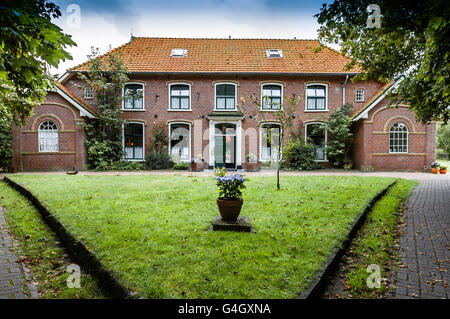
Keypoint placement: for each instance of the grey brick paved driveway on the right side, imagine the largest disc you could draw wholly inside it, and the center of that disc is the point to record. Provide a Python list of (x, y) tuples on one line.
[(424, 244)]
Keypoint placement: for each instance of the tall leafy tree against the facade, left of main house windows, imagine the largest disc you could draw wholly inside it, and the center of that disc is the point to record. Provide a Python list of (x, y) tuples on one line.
[(107, 76)]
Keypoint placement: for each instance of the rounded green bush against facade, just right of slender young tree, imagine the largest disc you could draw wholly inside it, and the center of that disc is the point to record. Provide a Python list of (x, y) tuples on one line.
[(299, 155)]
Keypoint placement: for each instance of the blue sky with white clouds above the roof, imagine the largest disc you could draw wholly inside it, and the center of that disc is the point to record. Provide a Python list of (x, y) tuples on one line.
[(104, 23)]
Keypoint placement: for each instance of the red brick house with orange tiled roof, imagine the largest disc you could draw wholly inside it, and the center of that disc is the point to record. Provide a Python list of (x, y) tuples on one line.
[(194, 87)]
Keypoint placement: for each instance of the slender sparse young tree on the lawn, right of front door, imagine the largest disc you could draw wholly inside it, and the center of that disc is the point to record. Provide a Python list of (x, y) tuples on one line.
[(283, 115)]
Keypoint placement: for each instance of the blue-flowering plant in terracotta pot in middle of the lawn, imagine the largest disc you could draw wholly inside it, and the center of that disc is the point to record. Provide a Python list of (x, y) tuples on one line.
[(229, 201)]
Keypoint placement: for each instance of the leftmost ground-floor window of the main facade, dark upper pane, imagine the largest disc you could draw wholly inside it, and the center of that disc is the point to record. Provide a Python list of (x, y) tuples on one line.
[(133, 143)]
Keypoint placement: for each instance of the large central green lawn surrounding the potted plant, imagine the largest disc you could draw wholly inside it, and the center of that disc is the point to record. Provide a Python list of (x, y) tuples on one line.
[(155, 233)]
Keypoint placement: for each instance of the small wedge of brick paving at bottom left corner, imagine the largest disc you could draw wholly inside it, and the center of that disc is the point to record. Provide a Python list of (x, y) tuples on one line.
[(12, 276)]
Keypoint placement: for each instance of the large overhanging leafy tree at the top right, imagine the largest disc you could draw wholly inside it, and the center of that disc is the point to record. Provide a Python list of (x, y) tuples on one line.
[(411, 40)]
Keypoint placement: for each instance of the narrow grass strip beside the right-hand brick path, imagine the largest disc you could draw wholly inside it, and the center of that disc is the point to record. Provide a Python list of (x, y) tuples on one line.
[(374, 243)]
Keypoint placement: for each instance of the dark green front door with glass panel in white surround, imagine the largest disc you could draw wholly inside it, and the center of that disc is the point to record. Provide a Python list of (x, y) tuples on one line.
[(225, 145)]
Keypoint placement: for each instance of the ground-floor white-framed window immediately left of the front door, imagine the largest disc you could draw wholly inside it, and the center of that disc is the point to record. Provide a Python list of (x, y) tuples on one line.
[(180, 141)]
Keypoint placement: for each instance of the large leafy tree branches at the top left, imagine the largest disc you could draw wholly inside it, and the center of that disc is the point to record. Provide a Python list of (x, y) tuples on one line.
[(29, 42)]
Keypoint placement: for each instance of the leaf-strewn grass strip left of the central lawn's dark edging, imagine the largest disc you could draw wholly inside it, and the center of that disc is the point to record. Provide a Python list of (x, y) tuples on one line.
[(37, 247)]
